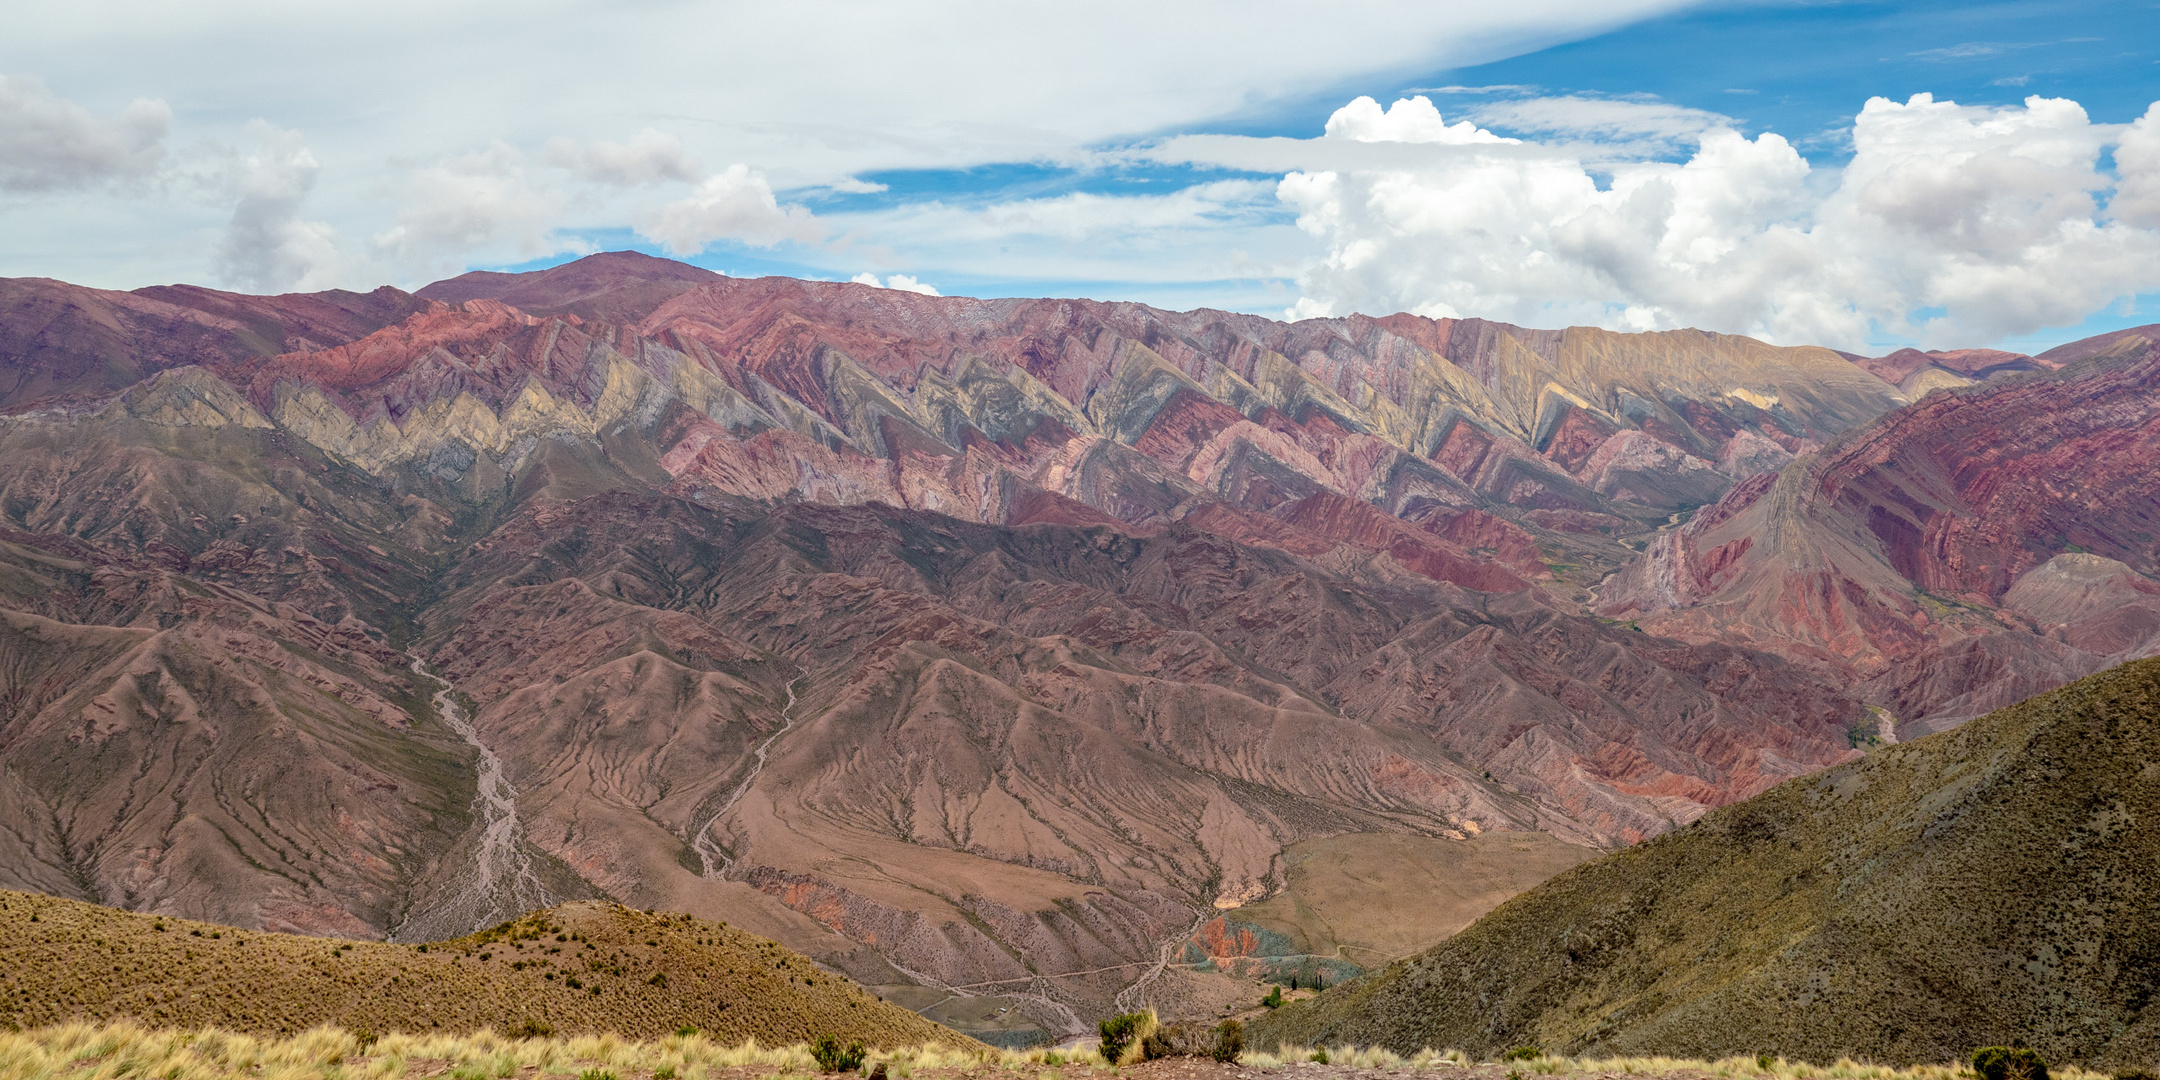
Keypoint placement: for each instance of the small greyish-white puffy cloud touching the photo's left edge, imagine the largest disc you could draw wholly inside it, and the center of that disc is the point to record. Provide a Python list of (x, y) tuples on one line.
[(51, 144)]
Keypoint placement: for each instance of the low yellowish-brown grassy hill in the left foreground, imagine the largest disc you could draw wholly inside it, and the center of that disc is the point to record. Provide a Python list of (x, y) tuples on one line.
[(573, 969)]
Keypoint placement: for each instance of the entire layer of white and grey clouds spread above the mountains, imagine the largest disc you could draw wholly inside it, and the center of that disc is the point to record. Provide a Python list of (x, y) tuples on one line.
[(969, 148)]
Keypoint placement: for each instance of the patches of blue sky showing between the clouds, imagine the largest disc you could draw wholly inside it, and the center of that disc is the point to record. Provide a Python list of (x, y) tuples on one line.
[(1794, 68)]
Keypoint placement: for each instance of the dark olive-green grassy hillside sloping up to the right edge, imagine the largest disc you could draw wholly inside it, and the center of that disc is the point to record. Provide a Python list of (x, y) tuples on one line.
[(1993, 885)]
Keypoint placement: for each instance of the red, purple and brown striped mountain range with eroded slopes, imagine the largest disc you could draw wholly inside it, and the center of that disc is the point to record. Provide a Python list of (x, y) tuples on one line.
[(999, 647)]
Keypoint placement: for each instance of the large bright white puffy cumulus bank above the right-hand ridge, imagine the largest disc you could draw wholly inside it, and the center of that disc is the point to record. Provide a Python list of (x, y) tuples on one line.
[(1952, 224)]
